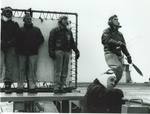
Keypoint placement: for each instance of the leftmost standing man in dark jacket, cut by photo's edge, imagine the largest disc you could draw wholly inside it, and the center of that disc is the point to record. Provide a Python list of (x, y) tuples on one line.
[(9, 33)]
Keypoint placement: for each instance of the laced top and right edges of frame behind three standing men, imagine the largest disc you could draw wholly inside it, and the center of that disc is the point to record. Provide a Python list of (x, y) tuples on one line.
[(54, 15)]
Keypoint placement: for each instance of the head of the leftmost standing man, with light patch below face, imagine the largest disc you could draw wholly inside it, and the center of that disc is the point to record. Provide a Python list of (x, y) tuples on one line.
[(7, 13)]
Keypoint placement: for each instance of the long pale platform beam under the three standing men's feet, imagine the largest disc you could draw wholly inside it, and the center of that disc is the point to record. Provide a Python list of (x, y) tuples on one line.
[(40, 97)]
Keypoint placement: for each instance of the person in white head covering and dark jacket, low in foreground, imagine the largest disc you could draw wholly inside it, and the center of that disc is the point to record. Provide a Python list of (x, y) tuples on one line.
[(102, 97)]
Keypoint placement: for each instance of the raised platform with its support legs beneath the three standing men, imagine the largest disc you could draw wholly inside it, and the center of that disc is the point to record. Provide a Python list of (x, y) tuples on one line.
[(31, 100)]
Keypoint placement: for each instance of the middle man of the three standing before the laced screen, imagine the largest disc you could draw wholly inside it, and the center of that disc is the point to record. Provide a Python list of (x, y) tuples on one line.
[(28, 45)]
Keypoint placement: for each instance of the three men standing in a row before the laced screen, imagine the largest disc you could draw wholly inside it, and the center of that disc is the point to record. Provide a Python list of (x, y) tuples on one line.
[(24, 43)]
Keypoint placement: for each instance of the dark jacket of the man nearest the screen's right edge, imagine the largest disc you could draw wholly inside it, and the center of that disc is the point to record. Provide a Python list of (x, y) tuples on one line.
[(61, 39)]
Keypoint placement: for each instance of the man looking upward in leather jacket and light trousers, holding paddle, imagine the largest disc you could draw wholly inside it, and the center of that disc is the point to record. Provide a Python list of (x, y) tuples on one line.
[(115, 47)]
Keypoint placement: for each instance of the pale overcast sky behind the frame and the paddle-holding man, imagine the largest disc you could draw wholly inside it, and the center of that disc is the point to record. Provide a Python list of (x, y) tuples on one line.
[(133, 15)]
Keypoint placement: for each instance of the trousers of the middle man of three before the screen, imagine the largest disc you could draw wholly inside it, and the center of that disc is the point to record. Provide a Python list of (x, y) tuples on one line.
[(27, 69)]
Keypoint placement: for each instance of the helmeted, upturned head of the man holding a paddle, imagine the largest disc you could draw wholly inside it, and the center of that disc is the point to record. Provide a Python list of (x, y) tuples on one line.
[(113, 21)]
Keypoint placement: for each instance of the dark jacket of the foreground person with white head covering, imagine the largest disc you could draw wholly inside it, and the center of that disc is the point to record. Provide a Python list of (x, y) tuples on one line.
[(98, 99)]
